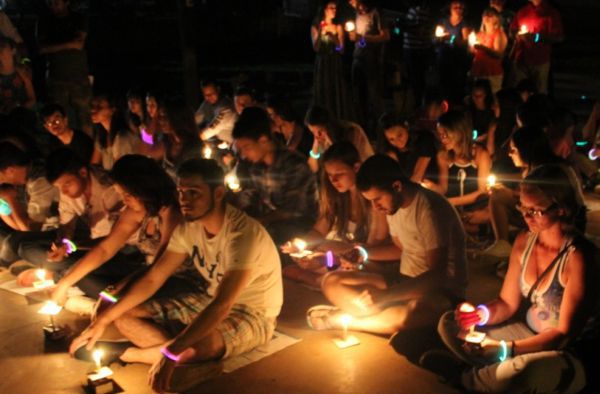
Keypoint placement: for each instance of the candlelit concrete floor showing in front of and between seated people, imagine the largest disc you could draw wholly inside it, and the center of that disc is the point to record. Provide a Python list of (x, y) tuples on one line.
[(29, 365)]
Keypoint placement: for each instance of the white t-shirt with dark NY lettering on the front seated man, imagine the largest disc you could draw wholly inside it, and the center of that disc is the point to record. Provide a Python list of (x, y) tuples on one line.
[(242, 244)]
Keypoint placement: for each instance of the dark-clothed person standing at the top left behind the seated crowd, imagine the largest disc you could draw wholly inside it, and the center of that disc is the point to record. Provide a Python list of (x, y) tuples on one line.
[(61, 38)]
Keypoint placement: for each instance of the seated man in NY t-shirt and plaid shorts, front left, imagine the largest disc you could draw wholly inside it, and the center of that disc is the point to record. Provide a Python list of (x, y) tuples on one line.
[(235, 312)]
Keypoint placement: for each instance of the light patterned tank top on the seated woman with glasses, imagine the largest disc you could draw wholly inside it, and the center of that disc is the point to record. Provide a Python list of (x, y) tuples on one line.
[(544, 312)]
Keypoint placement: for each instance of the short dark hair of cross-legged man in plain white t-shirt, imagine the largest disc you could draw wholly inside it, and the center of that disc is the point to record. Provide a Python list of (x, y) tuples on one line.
[(380, 171)]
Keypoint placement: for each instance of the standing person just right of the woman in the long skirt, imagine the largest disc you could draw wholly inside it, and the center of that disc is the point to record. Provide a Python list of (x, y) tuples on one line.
[(367, 63)]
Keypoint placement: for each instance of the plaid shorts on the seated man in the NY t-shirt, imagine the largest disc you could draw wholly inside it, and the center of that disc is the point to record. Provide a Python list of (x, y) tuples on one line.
[(243, 330)]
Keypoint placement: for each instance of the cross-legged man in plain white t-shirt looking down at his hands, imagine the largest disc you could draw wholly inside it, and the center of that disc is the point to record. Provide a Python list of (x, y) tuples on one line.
[(427, 238)]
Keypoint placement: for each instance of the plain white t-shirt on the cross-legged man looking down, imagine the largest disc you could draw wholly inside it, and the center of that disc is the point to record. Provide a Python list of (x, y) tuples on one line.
[(430, 222)]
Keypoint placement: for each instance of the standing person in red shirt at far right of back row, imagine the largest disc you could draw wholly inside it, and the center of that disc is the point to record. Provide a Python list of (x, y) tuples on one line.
[(537, 26)]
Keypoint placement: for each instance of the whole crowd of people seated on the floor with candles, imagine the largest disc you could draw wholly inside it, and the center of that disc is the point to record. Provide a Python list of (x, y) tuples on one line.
[(191, 267)]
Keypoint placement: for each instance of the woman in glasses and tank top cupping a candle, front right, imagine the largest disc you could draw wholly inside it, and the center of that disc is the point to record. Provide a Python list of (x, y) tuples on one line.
[(552, 277)]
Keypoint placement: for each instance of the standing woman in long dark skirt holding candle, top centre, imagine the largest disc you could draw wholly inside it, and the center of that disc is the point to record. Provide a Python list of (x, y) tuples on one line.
[(329, 86)]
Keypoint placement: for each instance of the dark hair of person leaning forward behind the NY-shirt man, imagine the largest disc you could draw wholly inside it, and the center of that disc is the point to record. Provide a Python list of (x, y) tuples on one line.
[(146, 180)]
